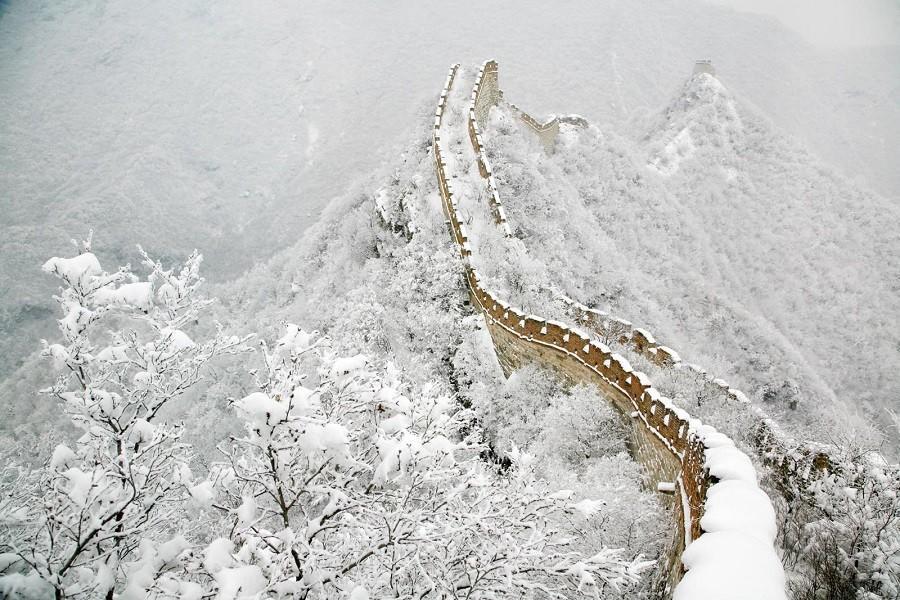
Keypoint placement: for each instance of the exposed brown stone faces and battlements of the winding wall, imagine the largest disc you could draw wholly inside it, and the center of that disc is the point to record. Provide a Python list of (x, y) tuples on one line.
[(673, 447)]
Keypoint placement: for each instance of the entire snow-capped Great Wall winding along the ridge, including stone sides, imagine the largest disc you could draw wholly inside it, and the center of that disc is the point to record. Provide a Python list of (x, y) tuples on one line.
[(700, 467)]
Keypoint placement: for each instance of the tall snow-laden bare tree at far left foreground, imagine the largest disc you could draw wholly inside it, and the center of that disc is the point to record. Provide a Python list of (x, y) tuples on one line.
[(125, 354)]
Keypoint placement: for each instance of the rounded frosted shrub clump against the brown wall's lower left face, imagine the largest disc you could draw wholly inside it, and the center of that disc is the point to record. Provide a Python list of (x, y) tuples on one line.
[(578, 442)]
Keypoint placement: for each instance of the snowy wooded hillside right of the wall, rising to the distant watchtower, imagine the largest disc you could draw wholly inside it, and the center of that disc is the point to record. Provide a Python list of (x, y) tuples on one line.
[(727, 240)]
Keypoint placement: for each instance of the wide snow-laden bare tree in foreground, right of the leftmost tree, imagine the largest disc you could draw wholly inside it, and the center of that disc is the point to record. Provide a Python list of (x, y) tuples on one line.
[(350, 487)]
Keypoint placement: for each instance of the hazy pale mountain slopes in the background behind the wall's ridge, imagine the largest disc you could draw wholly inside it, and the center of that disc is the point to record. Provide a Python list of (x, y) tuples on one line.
[(229, 125)]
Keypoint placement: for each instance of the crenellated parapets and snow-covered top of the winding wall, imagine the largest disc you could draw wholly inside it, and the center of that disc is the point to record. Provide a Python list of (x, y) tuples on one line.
[(726, 521)]
